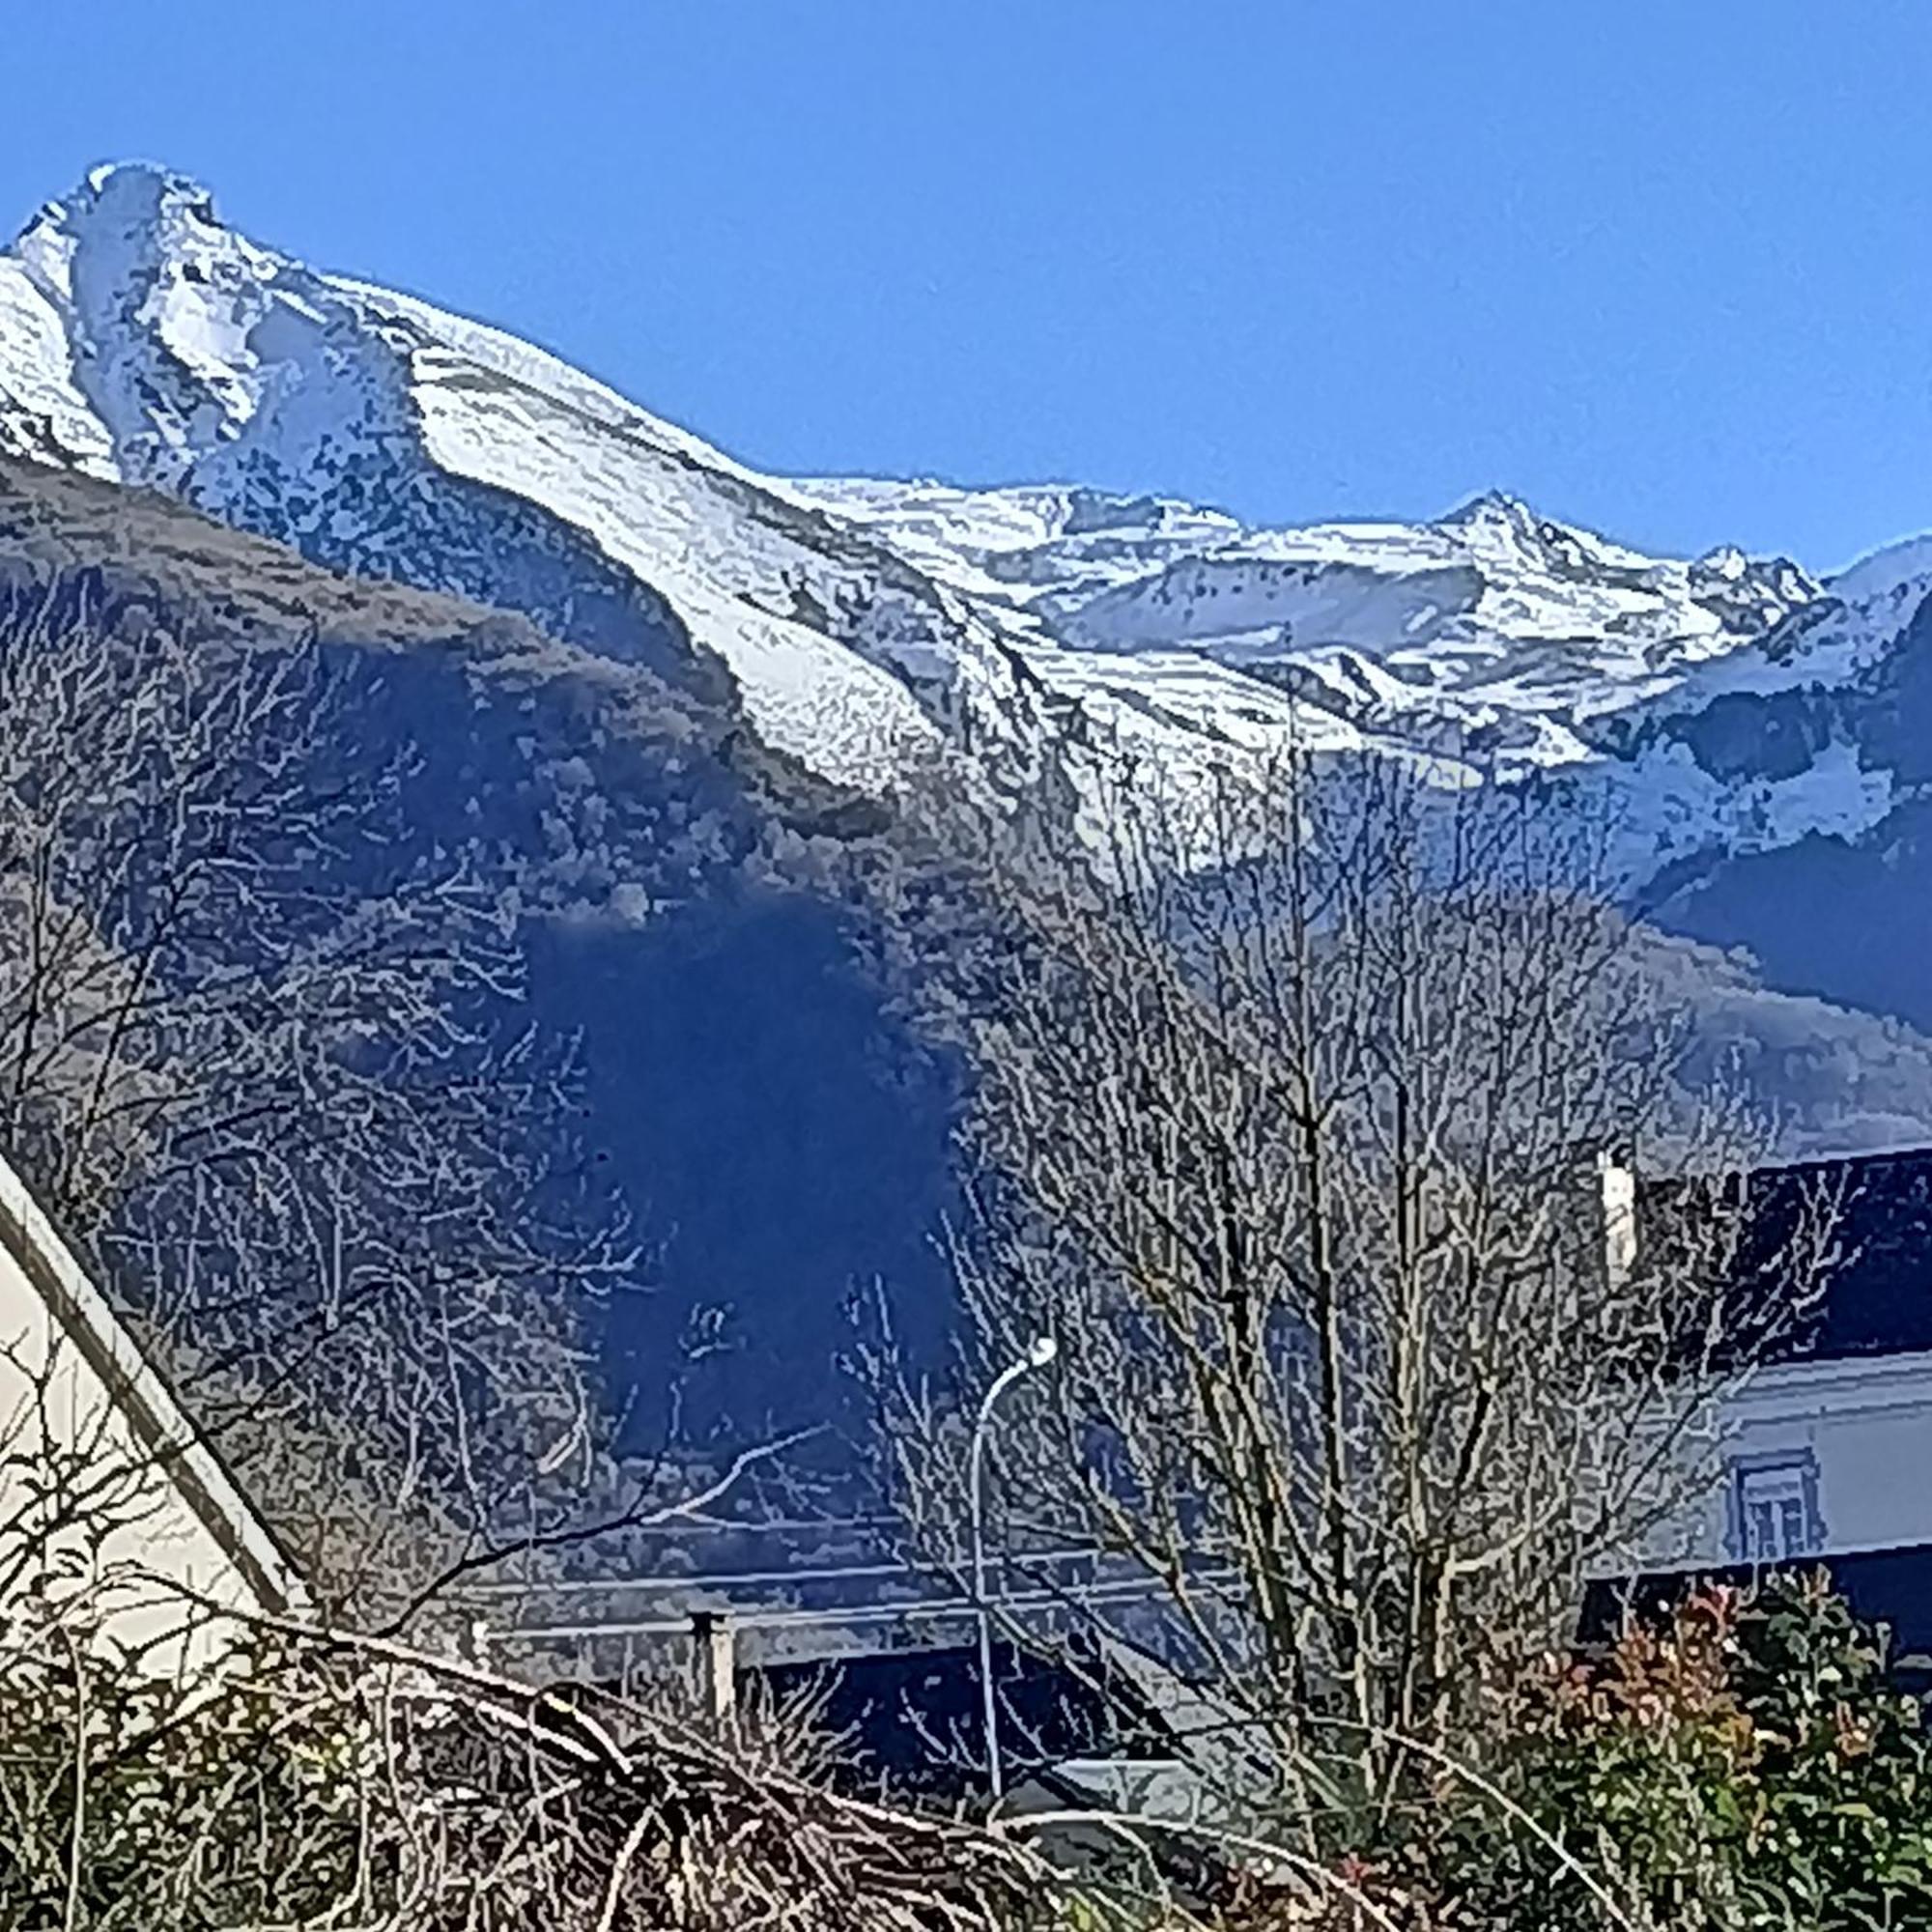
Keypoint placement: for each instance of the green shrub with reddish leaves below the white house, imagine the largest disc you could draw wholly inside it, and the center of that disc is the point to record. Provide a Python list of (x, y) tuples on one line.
[(1746, 1767)]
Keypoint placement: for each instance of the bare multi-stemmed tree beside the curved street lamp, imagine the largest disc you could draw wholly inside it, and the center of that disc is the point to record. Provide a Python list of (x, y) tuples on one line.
[(1288, 1102)]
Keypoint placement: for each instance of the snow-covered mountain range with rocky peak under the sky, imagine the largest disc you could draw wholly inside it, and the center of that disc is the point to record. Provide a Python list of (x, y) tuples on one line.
[(857, 621)]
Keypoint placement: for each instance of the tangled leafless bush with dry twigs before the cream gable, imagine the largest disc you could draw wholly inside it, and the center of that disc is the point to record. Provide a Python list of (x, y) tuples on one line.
[(175, 1763)]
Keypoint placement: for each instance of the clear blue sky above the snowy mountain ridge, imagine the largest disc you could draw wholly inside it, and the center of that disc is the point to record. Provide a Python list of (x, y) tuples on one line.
[(1662, 270)]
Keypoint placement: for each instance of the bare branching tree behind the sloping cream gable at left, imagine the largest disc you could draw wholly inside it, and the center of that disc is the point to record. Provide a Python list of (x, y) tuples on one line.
[(258, 1056)]
